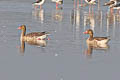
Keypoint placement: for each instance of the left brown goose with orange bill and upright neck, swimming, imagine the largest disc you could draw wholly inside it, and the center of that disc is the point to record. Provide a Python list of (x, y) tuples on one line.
[(34, 36)]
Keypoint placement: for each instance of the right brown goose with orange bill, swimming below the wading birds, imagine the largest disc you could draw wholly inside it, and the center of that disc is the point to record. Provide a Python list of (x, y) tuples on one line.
[(95, 40)]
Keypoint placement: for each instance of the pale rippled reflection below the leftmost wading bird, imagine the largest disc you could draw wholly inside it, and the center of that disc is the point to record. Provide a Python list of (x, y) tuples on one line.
[(38, 14)]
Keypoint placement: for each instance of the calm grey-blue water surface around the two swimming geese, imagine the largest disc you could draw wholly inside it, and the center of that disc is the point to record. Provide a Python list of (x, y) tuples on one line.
[(64, 57)]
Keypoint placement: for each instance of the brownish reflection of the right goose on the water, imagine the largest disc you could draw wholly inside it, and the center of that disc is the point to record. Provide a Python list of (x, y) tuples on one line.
[(91, 47)]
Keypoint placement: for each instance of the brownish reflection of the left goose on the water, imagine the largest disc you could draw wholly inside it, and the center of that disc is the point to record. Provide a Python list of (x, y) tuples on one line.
[(38, 43)]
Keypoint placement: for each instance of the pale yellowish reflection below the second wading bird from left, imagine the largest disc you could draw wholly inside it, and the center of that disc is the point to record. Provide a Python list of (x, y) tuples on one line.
[(58, 15)]
